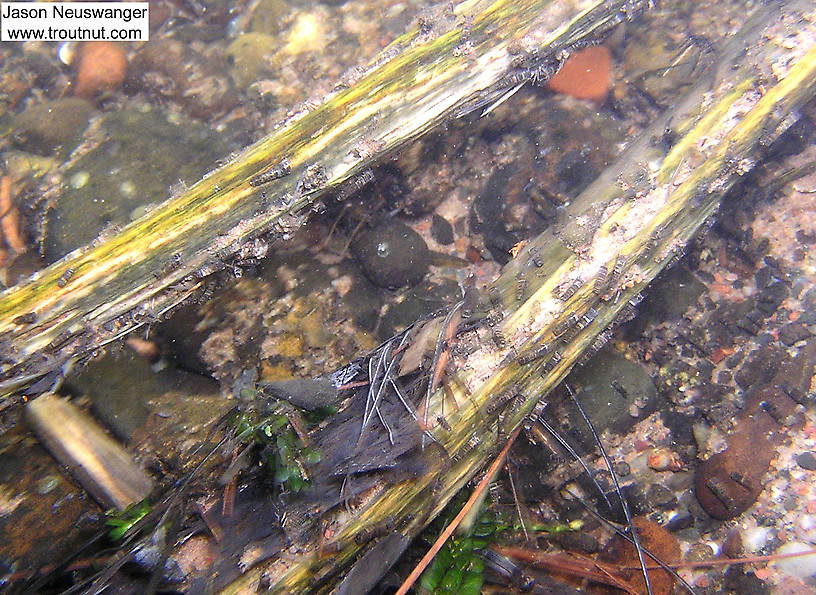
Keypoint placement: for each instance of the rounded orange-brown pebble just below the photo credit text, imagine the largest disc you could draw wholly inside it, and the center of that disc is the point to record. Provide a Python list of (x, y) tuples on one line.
[(101, 66)]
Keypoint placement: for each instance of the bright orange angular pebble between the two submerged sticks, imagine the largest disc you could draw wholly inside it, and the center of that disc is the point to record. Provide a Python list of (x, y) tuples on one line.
[(587, 74)]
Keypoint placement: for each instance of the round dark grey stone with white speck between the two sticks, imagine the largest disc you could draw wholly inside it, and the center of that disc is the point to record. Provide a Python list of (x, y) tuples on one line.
[(392, 255)]
